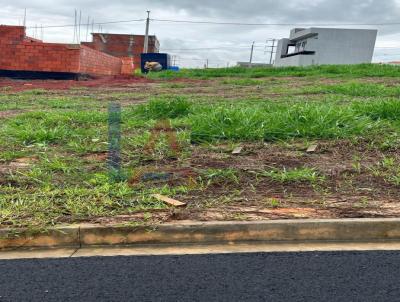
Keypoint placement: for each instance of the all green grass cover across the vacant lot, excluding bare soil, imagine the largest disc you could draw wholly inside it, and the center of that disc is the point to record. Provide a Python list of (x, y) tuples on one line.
[(61, 130)]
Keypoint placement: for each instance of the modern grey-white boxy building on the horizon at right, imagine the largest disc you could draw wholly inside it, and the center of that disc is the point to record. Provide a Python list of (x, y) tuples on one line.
[(319, 46)]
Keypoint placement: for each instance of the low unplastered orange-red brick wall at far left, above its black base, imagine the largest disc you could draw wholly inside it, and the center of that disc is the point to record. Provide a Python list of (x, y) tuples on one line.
[(21, 53)]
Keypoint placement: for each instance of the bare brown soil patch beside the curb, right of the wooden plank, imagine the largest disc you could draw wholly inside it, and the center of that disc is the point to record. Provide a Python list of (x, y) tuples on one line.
[(346, 192)]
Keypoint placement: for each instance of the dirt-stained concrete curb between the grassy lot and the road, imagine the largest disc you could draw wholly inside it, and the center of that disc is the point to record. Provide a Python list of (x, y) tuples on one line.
[(354, 230)]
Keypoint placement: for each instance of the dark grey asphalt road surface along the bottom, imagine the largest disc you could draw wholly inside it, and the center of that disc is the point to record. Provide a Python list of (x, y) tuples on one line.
[(345, 276)]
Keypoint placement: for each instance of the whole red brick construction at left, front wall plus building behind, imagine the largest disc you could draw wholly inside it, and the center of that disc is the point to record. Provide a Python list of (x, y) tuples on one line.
[(107, 54)]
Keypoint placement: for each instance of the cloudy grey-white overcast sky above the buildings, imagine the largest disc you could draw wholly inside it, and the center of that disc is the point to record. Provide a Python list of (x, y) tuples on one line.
[(233, 42)]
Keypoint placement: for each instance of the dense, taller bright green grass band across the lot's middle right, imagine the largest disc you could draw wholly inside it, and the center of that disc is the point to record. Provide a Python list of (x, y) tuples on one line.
[(252, 121)]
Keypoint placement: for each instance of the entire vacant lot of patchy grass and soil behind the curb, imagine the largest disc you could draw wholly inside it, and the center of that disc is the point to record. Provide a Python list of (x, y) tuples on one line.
[(54, 146)]
